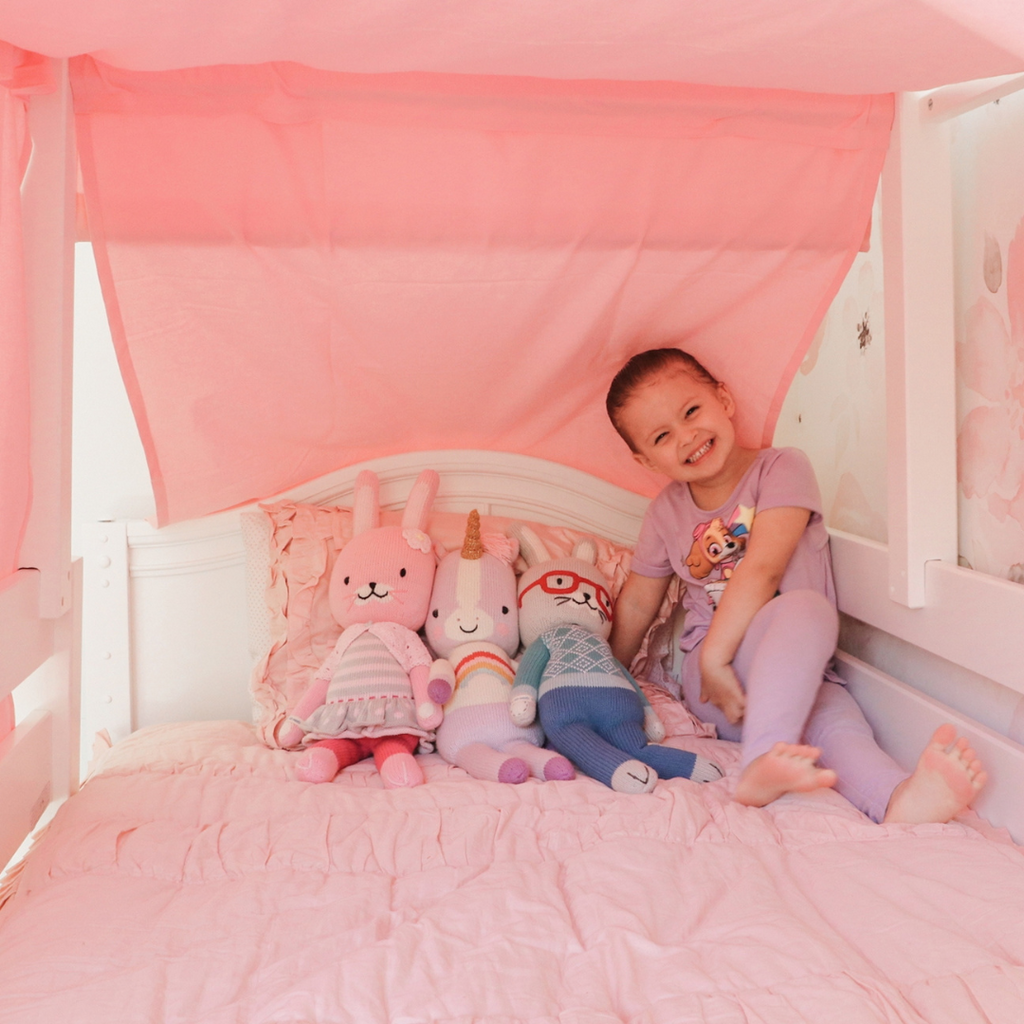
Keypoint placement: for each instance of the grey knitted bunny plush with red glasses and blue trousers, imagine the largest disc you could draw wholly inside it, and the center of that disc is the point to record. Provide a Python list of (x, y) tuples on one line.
[(590, 707)]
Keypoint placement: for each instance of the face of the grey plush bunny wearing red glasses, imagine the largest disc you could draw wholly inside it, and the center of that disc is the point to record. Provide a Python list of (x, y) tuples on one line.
[(563, 592)]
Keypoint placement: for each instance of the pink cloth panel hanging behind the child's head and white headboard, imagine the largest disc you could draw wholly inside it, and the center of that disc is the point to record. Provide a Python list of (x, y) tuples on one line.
[(308, 269)]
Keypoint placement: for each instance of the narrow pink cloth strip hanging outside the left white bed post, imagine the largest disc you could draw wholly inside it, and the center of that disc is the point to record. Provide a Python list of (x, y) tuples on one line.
[(20, 74)]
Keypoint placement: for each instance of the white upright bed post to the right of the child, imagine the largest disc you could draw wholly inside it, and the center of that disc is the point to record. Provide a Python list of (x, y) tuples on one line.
[(918, 254)]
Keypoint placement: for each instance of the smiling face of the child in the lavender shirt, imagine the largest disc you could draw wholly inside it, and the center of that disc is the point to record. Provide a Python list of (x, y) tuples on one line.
[(681, 428)]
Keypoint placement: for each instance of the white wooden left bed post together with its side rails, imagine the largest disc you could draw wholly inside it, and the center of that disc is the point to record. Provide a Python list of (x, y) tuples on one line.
[(39, 606)]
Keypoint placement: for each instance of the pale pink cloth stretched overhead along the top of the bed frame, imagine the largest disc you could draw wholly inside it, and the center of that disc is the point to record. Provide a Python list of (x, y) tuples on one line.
[(845, 47)]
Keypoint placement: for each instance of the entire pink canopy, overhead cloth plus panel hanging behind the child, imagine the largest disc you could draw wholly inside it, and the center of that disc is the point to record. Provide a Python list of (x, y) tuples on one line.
[(329, 232)]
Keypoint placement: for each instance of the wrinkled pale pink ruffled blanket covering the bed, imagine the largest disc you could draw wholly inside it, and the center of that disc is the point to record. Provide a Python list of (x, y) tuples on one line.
[(193, 880)]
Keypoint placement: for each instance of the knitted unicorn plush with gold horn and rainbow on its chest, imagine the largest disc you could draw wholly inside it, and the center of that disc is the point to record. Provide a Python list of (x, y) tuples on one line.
[(474, 623)]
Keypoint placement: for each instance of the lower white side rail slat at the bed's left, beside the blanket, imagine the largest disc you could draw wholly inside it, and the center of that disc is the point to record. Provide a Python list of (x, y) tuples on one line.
[(26, 765)]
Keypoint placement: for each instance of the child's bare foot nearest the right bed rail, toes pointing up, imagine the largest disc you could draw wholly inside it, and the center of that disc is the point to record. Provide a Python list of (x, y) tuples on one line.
[(948, 779)]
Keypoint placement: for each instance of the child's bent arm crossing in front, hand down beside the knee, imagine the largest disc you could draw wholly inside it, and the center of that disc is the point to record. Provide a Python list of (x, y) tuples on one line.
[(774, 538)]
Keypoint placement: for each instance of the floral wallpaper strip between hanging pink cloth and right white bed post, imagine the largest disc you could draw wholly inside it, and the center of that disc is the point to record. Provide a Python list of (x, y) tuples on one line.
[(836, 407)]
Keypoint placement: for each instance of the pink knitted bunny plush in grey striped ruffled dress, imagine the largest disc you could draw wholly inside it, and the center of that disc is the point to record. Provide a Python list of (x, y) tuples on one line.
[(378, 693)]
